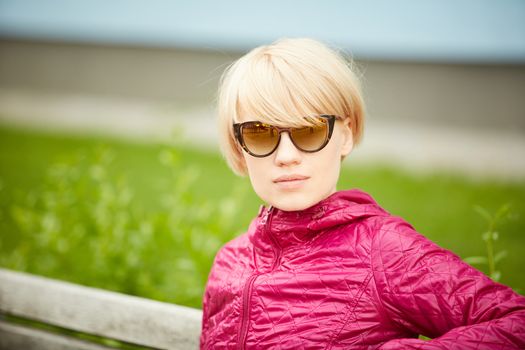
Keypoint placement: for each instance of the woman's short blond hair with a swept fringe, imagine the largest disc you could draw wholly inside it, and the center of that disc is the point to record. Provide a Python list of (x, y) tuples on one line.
[(282, 83)]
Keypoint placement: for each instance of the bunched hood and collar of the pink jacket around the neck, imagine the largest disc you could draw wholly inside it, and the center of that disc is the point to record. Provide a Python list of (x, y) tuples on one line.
[(289, 227)]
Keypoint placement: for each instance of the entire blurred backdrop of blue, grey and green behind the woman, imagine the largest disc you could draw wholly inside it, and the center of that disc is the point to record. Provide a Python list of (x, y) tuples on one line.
[(96, 189)]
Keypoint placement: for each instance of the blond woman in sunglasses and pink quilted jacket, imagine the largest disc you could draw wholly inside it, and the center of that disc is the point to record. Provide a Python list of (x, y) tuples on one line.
[(322, 269)]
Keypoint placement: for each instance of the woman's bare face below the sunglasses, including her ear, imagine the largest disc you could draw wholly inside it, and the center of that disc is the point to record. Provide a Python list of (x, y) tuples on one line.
[(290, 179)]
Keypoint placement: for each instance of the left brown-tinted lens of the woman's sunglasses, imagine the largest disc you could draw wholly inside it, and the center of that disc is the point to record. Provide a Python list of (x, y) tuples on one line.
[(260, 138)]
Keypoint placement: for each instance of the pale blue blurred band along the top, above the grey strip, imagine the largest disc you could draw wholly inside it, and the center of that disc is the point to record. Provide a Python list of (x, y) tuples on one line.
[(476, 31)]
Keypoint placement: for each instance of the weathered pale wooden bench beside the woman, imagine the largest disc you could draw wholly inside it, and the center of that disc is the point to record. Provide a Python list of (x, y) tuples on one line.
[(121, 317)]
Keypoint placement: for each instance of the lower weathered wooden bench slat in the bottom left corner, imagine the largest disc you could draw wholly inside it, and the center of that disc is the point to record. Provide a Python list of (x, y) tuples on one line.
[(18, 337)]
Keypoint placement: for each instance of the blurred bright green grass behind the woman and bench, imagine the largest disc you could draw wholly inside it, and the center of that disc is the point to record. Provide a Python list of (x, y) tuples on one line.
[(146, 219)]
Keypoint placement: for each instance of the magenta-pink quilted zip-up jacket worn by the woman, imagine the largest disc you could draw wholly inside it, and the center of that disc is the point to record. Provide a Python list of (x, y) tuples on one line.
[(345, 274)]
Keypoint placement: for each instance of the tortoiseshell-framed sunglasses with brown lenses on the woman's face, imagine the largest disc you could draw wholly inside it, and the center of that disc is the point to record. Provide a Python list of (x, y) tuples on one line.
[(260, 139)]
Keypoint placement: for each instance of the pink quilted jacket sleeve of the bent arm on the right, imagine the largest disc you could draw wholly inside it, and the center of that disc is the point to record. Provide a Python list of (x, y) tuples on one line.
[(427, 290)]
